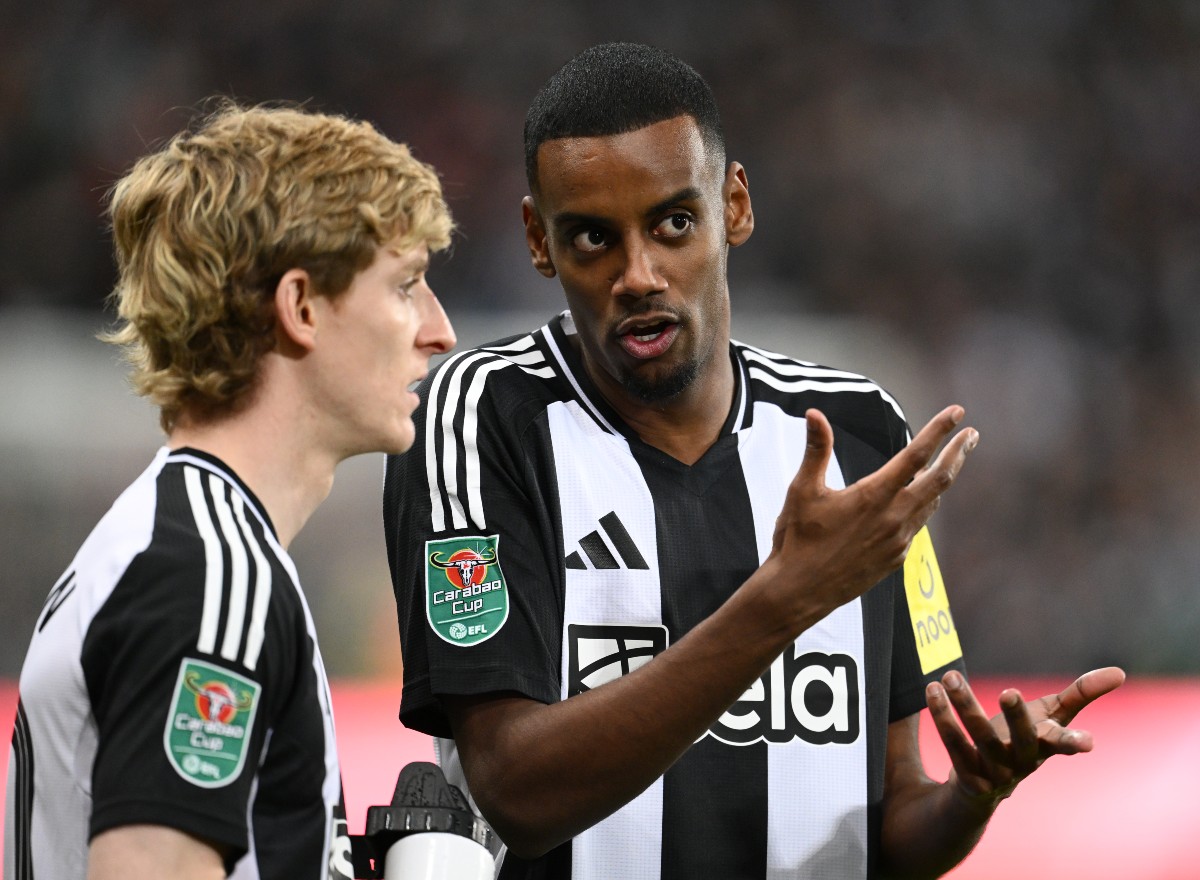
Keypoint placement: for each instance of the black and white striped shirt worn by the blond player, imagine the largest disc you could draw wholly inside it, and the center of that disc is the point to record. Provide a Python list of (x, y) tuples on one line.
[(175, 679)]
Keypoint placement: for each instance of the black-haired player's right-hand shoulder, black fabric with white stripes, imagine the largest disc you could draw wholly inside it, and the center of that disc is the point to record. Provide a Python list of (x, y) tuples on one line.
[(851, 402)]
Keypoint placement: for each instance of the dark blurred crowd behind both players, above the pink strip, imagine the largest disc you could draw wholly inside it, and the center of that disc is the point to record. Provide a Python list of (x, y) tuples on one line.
[(994, 203)]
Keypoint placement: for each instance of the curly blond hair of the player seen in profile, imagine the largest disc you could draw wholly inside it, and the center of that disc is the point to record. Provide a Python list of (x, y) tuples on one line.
[(206, 229)]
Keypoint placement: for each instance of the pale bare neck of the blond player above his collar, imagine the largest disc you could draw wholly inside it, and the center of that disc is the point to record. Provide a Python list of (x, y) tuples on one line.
[(272, 456)]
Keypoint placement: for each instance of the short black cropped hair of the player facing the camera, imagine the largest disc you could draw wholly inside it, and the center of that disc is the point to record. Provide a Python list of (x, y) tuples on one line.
[(616, 88)]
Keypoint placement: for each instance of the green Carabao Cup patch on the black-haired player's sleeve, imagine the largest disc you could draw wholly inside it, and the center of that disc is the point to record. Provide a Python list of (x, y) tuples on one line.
[(466, 596)]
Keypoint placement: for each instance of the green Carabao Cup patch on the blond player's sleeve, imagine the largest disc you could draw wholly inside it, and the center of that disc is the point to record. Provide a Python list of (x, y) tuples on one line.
[(209, 726)]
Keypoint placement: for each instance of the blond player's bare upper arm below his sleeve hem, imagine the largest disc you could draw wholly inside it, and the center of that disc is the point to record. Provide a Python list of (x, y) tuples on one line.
[(153, 852)]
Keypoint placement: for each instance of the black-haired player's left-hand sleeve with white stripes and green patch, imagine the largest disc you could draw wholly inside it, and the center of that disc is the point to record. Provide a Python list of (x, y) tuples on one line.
[(472, 554)]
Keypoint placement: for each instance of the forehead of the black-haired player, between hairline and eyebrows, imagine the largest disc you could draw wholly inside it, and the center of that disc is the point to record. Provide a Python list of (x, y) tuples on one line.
[(628, 172)]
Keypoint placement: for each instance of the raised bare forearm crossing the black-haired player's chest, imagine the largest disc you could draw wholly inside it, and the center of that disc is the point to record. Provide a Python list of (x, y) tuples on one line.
[(544, 774)]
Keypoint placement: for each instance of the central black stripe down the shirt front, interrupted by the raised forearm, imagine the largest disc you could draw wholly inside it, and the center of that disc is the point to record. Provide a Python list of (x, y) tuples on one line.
[(715, 799)]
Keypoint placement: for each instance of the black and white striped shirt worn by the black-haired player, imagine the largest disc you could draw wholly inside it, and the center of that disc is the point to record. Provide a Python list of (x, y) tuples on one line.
[(539, 547)]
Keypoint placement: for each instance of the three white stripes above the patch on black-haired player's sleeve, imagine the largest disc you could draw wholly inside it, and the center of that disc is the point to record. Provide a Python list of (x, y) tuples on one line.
[(515, 355)]
